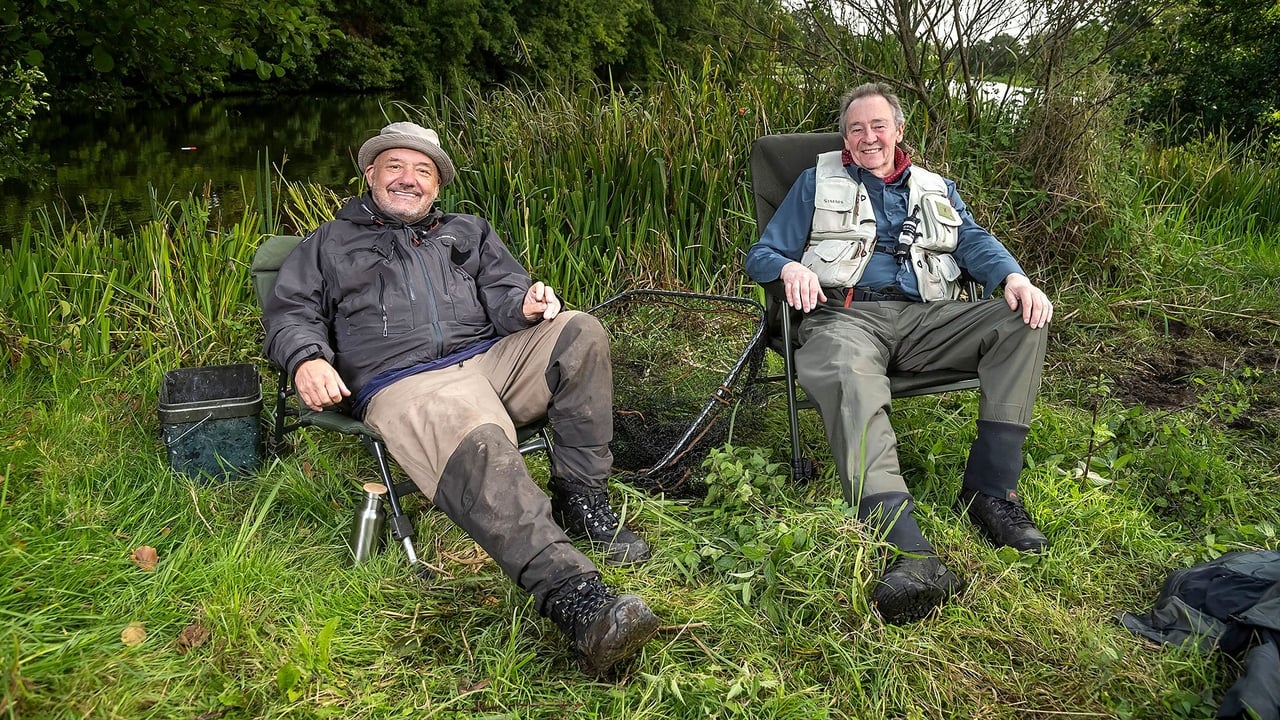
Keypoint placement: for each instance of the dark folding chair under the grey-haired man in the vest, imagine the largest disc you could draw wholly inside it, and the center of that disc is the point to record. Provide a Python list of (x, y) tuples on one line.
[(778, 161)]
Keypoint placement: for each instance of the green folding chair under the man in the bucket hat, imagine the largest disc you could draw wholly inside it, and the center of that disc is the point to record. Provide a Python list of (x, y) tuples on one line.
[(291, 414)]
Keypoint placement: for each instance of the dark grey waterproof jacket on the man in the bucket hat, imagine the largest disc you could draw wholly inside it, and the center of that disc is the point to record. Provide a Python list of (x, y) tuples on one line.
[(371, 294)]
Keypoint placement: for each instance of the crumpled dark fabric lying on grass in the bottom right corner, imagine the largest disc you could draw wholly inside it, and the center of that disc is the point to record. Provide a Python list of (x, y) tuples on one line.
[(1232, 603)]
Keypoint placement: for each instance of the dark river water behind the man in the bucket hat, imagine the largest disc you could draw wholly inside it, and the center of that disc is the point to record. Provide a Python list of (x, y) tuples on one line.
[(107, 163)]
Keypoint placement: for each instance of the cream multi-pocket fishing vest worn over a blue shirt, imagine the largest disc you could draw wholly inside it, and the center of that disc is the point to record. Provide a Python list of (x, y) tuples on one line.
[(843, 236)]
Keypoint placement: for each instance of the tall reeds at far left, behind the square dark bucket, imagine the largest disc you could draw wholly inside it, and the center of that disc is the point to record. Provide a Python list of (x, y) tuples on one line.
[(172, 291)]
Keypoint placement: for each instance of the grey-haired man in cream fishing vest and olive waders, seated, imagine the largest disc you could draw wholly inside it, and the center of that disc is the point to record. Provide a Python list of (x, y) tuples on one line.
[(871, 249)]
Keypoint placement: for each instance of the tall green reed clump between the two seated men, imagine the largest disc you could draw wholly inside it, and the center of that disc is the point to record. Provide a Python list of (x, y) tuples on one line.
[(600, 192)]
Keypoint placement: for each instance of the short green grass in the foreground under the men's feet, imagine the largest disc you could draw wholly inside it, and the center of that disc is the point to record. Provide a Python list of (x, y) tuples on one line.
[(762, 593)]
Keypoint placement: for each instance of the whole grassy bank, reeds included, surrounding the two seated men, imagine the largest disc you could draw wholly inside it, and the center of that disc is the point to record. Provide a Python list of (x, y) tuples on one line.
[(1154, 448)]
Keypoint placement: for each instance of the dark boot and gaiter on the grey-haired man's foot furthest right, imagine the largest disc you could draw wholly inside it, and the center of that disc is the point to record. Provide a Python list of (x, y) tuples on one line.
[(990, 493)]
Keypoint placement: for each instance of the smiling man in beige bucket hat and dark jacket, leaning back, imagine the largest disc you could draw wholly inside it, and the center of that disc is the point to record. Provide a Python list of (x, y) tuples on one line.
[(440, 340)]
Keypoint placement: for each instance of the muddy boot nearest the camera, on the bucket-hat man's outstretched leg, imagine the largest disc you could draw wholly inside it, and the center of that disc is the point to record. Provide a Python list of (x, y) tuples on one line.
[(606, 628)]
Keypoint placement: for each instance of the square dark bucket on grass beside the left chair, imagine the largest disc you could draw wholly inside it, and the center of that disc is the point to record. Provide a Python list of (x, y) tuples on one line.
[(209, 421)]
